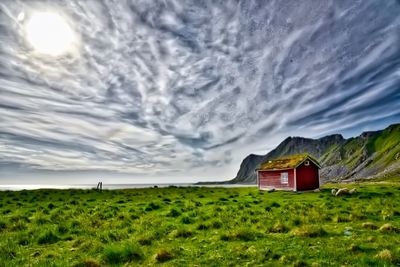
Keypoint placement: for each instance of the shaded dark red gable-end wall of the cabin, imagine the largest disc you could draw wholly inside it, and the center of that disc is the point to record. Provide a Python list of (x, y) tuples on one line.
[(307, 177)]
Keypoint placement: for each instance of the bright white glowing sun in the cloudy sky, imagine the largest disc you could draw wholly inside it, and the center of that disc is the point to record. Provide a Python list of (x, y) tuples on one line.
[(49, 33)]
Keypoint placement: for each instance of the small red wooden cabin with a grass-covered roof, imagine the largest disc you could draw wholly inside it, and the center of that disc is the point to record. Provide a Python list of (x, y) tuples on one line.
[(293, 173)]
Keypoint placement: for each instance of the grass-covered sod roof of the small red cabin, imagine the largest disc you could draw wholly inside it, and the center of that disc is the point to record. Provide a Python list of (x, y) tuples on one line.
[(287, 162)]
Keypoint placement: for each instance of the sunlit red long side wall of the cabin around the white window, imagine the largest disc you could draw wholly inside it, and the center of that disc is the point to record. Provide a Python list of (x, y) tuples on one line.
[(272, 179)]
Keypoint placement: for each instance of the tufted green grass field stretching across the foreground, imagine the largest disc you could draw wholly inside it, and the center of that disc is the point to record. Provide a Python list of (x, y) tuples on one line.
[(201, 227)]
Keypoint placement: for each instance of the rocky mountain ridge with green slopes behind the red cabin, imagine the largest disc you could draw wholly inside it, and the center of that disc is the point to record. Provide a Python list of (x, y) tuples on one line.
[(368, 155)]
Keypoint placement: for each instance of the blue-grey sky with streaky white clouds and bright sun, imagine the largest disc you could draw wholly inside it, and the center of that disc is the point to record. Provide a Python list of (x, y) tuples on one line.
[(181, 91)]
